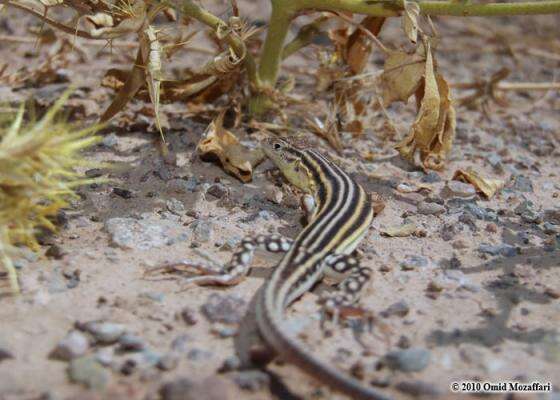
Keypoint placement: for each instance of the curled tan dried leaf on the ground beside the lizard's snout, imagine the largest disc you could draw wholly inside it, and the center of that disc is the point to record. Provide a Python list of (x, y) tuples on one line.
[(235, 158)]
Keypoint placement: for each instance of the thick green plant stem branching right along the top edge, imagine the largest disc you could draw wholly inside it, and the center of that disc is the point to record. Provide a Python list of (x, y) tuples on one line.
[(283, 11)]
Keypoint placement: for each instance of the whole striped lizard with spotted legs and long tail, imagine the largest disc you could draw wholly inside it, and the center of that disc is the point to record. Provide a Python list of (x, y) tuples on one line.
[(339, 213)]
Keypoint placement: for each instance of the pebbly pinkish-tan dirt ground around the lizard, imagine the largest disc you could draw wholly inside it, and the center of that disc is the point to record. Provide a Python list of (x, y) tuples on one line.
[(472, 296)]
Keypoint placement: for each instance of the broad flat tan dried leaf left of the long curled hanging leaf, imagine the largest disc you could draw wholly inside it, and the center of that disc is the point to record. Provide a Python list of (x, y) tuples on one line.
[(402, 75)]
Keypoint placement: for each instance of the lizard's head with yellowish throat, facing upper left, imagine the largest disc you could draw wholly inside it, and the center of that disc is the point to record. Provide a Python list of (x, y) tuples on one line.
[(290, 161)]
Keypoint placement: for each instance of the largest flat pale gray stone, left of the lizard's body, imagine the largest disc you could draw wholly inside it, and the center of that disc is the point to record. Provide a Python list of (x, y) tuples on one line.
[(131, 233)]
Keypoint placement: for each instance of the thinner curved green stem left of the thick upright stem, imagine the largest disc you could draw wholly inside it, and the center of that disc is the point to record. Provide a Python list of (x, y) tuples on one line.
[(200, 14)]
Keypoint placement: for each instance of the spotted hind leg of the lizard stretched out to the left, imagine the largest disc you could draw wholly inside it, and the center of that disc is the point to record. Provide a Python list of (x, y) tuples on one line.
[(233, 272)]
